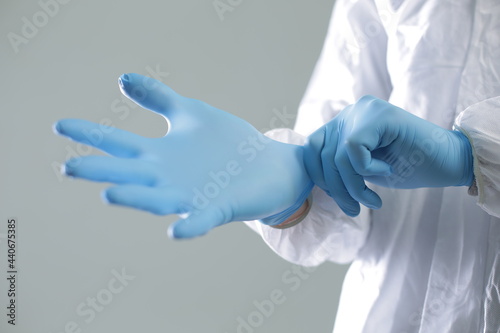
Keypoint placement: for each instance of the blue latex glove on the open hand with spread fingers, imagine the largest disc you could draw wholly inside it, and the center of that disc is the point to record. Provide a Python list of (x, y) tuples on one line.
[(211, 167)]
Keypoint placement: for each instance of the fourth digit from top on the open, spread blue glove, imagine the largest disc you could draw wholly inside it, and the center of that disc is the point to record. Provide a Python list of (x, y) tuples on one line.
[(153, 200)]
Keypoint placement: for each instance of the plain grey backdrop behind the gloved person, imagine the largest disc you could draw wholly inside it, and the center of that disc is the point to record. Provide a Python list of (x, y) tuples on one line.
[(257, 59)]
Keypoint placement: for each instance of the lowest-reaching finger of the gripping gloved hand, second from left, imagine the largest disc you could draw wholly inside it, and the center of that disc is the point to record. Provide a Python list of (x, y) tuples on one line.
[(334, 185)]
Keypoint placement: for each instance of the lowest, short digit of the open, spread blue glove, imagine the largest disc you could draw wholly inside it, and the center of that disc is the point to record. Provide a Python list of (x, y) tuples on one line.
[(198, 223)]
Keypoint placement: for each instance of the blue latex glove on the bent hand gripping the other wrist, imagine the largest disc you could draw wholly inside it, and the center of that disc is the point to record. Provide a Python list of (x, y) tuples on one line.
[(378, 142)]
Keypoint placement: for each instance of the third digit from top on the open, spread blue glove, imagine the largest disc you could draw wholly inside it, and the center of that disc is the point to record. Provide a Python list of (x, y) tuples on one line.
[(112, 169)]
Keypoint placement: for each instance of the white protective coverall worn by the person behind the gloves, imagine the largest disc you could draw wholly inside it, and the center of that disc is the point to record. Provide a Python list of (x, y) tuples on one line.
[(429, 259)]
